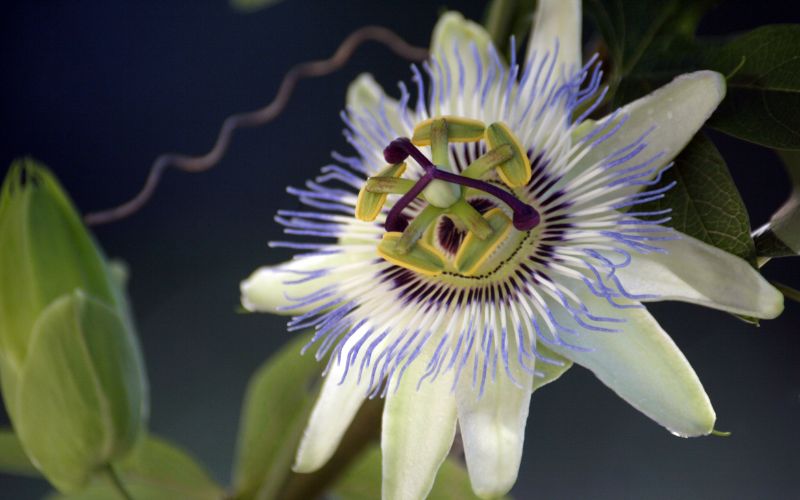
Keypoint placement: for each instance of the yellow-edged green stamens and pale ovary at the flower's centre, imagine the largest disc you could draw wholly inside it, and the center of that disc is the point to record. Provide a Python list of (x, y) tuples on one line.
[(478, 240)]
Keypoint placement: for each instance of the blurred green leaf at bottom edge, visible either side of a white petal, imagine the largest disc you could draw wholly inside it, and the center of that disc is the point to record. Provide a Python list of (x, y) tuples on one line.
[(362, 480)]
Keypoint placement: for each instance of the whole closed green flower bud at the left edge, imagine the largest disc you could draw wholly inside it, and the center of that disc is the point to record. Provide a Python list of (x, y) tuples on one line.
[(72, 375)]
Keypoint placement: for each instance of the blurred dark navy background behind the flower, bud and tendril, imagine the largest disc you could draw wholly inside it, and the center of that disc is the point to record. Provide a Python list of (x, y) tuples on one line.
[(97, 89)]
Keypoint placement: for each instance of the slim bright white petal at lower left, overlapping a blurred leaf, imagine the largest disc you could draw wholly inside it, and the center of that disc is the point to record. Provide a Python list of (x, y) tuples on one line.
[(334, 410)]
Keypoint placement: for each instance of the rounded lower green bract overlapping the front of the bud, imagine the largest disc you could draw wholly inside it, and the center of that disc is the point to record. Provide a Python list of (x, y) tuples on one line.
[(81, 399)]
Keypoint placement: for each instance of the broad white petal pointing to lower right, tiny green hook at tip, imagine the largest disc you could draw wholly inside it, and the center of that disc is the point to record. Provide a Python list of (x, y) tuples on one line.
[(643, 366)]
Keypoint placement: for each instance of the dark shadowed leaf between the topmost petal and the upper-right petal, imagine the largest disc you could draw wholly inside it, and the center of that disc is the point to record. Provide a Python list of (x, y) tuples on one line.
[(638, 33)]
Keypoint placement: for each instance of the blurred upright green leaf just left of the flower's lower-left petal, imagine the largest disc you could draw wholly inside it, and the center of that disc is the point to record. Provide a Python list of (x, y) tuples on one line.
[(276, 408)]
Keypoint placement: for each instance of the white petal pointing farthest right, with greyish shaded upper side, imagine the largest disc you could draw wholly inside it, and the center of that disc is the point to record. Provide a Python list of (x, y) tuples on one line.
[(699, 273)]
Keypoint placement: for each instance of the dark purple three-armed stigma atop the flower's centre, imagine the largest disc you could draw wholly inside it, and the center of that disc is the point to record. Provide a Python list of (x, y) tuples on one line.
[(525, 216)]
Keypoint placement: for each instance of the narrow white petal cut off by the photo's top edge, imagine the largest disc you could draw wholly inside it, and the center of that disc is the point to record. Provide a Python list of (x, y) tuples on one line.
[(557, 20)]
